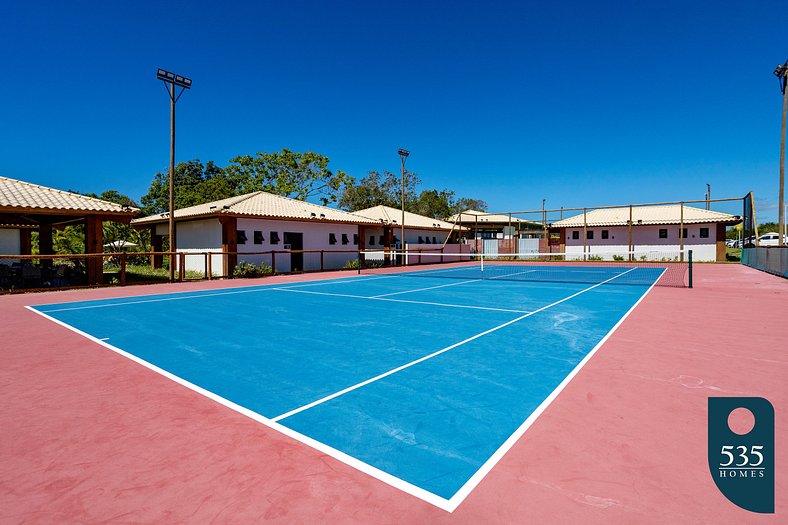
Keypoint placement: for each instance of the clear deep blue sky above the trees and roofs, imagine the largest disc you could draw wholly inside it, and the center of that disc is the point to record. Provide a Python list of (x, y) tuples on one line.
[(581, 103)]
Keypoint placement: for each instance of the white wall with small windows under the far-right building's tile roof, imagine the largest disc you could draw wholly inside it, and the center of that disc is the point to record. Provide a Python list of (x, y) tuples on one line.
[(646, 239)]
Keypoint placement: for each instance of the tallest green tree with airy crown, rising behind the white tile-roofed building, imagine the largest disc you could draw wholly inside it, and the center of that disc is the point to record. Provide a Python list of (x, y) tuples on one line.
[(290, 174)]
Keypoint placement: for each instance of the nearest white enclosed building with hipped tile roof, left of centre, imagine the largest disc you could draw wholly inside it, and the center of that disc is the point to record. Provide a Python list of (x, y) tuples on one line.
[(305, 236)]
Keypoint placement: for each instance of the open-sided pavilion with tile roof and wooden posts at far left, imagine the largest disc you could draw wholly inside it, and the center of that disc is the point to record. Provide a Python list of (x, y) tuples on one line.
[(25, 208)]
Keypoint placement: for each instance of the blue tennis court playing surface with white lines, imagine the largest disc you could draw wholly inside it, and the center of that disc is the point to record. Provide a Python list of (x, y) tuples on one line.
[(420, 380)]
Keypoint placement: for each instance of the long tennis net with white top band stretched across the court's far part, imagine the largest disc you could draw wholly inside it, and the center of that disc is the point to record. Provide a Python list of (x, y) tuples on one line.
[(633, 268)]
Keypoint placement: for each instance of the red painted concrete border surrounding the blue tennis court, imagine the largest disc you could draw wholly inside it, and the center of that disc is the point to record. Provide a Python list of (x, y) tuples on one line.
[(87, 436)]
